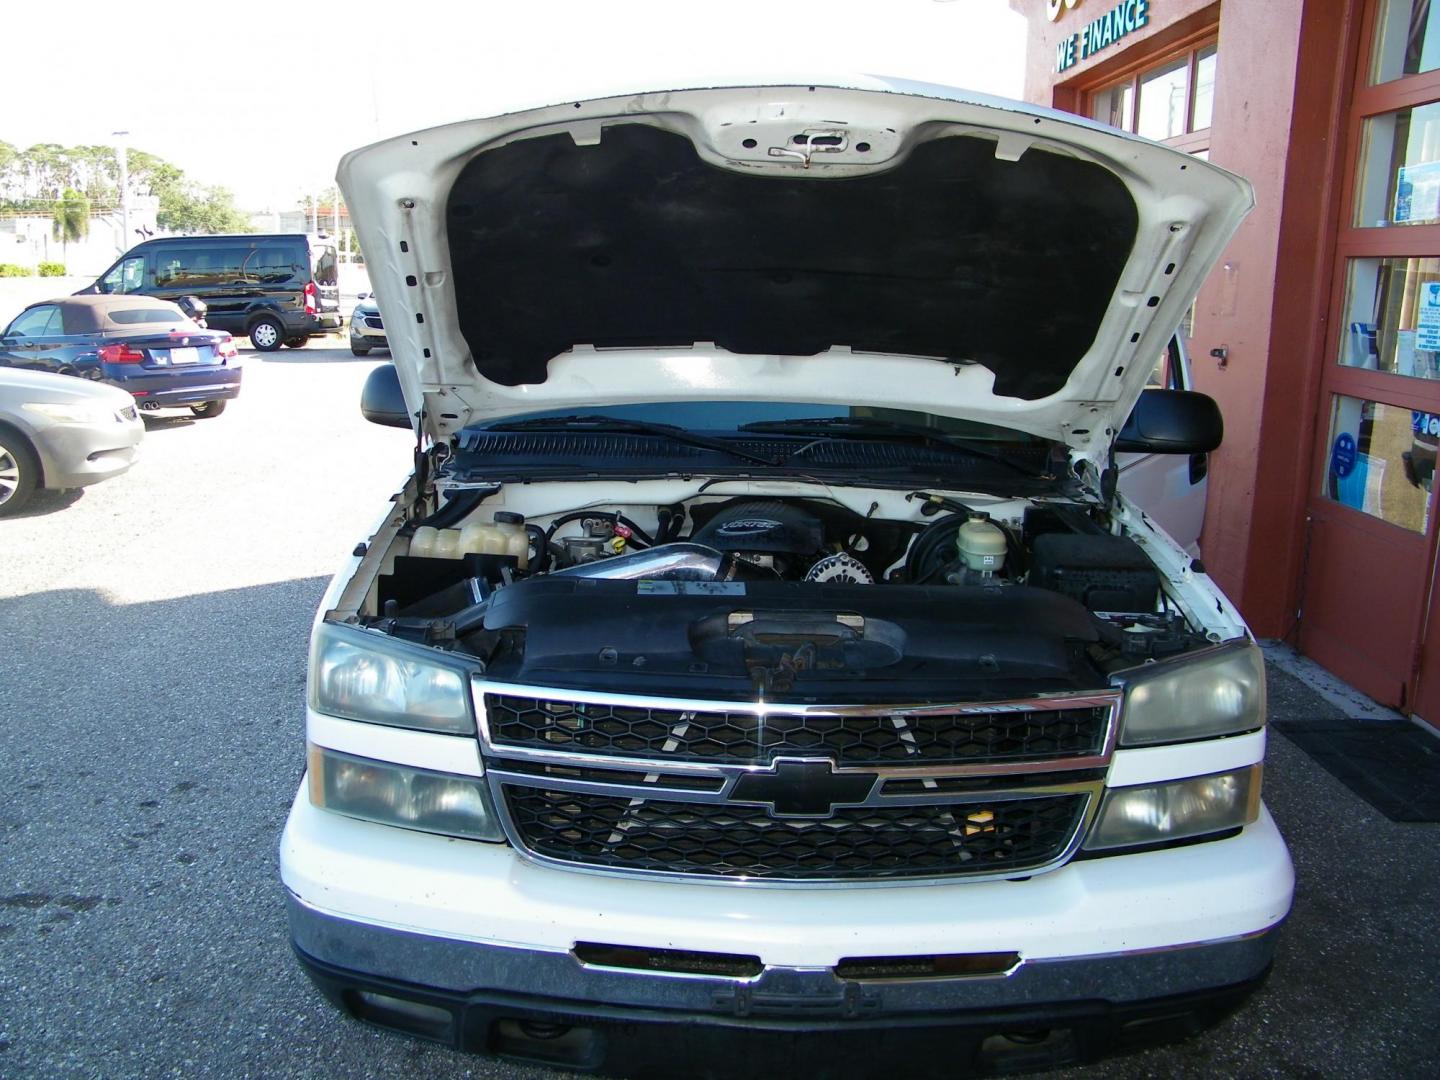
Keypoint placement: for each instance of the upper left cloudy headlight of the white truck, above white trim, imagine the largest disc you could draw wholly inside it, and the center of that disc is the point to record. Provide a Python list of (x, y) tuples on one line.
[(365, 676)]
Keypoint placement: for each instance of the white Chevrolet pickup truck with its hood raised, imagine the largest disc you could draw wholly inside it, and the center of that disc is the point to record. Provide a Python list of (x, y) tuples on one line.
[(765, 666)]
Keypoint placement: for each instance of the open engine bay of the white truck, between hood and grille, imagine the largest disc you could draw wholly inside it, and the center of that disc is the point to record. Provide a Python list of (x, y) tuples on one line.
[(800, 597)]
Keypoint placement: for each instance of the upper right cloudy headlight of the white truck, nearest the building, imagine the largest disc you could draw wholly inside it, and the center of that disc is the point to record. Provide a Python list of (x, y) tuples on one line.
[(1220, 692)]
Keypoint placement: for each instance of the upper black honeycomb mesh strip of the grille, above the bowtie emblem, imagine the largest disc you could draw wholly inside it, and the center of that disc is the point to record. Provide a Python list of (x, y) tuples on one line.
[(742, 738)]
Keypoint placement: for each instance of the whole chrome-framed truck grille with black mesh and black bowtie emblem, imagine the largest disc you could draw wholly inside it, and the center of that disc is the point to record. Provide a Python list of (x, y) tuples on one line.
[(794, 794)]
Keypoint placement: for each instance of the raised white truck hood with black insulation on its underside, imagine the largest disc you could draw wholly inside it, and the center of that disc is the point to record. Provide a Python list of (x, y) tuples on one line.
[(881, 244)]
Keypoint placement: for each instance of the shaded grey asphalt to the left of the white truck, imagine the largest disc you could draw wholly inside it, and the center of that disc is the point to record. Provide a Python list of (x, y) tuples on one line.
[(149, 755)]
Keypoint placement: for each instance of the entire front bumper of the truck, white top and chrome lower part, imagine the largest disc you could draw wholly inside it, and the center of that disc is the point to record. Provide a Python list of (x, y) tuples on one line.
[(1163, 942)]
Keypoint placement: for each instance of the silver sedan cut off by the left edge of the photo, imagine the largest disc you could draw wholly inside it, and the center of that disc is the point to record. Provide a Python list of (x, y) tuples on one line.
[(58, 431)]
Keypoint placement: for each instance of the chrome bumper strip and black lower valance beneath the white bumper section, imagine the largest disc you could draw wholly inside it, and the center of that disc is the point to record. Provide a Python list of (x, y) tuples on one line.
[(551, 1009)]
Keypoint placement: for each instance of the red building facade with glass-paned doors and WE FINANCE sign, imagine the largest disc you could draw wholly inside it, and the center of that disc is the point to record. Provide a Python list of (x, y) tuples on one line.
[(1320, 332)]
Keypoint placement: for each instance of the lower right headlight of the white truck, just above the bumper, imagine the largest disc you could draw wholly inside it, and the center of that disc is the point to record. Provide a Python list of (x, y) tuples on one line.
[(1180, 810)]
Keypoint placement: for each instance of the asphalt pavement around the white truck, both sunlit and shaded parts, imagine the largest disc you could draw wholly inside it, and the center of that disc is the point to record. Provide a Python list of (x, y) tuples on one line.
[(153, 634)]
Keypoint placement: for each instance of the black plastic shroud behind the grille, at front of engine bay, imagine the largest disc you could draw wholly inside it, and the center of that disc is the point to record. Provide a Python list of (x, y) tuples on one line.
[(682, 639)]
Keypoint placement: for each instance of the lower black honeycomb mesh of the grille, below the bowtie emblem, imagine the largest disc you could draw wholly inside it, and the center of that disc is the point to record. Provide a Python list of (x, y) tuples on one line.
[(734, 840)]
